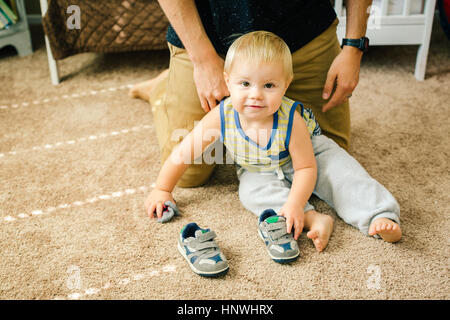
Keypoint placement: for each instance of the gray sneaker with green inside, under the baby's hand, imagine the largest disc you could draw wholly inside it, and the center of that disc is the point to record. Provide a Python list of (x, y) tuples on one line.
[(281, 246)]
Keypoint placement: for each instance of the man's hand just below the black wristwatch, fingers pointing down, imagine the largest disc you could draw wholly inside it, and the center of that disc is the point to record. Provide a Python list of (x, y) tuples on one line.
[(344, 74)]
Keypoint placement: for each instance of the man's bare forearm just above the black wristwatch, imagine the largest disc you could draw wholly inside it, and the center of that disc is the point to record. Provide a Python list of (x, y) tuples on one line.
[(357, 15)]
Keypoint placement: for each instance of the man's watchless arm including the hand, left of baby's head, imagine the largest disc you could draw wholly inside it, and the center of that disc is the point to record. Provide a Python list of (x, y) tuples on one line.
[(208, 66)]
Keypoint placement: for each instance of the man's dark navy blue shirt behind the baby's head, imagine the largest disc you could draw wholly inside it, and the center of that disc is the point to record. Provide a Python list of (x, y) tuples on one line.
[(297, 22)]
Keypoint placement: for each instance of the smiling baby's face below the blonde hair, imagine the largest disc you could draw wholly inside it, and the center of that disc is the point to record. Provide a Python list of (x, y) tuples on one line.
[(256, 90)]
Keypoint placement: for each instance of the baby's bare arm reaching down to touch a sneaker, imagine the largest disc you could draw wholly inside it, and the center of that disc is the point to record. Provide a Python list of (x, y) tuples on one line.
[(304, 164)]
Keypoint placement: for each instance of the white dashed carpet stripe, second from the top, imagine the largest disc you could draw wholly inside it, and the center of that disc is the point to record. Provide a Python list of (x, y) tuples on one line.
[(72, 142)]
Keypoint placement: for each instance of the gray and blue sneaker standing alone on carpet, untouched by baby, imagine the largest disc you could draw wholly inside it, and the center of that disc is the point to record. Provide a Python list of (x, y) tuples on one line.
[(203, 255)]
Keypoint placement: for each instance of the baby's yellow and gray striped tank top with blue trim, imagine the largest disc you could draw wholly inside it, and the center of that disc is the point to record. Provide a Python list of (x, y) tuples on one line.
[(253, 157)]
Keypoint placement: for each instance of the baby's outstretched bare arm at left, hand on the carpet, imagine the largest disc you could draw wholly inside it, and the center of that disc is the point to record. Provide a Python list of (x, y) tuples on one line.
[(207, 131)]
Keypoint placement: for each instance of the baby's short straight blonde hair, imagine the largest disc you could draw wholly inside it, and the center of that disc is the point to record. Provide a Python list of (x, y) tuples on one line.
[(260, 47)]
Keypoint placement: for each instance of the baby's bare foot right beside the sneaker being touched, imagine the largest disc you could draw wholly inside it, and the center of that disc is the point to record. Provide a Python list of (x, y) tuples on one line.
[(320, 227)]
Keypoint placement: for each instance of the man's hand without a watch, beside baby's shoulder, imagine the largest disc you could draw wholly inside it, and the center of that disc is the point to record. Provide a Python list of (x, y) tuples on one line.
[(210, 83)]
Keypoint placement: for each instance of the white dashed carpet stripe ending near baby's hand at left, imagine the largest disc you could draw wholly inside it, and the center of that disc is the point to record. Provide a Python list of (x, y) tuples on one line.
[(78, 203)]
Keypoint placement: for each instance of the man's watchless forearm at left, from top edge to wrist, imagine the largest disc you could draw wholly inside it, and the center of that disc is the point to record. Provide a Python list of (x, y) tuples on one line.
[(184, 17)]
